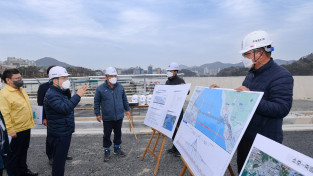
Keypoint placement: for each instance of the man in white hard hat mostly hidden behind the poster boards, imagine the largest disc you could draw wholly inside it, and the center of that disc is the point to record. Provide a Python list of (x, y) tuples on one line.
[(173, 79)]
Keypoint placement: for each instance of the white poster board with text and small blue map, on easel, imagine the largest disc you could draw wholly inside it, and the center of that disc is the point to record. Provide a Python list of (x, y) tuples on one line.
[(165, 107)]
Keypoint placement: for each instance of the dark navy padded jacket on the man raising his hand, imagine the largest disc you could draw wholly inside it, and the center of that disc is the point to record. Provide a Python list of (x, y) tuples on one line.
[(60, 111)]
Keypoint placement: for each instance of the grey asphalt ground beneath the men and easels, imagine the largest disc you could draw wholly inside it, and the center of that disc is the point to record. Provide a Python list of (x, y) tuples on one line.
[(87, 155)]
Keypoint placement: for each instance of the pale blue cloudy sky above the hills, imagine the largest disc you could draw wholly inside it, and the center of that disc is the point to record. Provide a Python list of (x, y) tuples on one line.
[(128, 33)]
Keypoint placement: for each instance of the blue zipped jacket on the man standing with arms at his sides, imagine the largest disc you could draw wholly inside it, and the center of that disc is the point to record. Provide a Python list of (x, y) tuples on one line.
[(113, 102)]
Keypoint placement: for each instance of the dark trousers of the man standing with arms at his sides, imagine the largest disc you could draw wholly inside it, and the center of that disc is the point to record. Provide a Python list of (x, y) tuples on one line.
[(108, 126)]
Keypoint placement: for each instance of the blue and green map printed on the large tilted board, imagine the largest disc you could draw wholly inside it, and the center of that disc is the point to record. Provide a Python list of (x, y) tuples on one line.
[(220, 114)]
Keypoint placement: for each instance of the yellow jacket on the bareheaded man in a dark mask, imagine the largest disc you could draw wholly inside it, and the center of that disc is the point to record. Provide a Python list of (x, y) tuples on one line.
[(16, 109)]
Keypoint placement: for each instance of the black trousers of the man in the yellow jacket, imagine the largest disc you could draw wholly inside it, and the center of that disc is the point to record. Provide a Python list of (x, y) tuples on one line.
[(16, 160)]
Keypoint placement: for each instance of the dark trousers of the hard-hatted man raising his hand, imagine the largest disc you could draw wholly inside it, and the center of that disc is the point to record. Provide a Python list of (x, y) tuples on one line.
[(60, 146)]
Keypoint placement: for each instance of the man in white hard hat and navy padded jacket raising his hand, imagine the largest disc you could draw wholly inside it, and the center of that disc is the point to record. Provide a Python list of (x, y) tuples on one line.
[(60, 116)]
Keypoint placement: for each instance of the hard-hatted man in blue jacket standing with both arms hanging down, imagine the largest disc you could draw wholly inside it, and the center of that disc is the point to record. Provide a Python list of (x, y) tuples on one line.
[(110, 103)]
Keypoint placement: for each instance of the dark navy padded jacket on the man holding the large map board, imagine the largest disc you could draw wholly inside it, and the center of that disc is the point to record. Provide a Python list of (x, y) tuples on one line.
[(277, 84)]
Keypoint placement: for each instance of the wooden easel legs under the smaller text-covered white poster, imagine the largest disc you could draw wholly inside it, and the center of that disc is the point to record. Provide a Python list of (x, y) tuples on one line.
[(158, 157)]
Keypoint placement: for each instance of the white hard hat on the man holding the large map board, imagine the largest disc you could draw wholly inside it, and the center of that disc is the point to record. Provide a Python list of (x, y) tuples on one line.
[(255, 39)]
